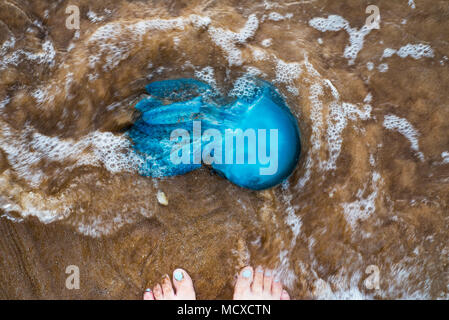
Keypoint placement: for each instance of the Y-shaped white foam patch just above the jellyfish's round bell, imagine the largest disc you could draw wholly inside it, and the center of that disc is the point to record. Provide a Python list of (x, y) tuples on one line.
[(228, 40)]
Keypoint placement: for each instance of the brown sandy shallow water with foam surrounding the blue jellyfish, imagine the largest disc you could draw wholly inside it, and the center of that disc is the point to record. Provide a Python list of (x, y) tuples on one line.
[(371, 186)]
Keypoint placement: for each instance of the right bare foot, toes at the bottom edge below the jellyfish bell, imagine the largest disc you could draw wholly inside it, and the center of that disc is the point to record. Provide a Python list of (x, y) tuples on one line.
[(259, 285)]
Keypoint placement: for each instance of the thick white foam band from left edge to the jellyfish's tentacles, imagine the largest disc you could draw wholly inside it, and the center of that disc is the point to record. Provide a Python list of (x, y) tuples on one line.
[(25, 150)]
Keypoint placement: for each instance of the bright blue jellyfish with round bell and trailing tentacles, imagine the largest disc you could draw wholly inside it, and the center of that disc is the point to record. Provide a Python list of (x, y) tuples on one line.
[(248, 136)]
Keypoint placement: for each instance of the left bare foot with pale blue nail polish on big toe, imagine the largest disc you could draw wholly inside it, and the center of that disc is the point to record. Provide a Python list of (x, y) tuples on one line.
[(183, 288)]
